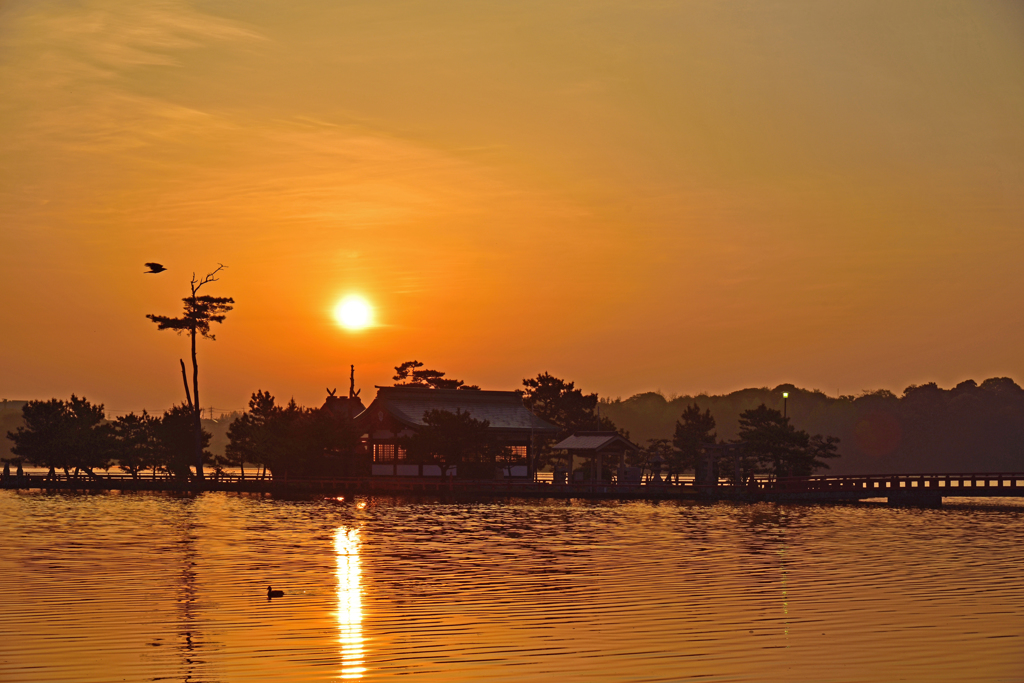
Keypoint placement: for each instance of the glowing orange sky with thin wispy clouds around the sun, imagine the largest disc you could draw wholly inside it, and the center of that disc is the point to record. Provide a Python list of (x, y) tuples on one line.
[(685, 197)]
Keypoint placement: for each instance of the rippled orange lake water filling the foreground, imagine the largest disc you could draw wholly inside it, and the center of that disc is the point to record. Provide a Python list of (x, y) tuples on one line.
[(148, 587)]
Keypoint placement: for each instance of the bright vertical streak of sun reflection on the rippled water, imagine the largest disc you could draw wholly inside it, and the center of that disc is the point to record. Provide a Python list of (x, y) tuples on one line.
[(347, 546)]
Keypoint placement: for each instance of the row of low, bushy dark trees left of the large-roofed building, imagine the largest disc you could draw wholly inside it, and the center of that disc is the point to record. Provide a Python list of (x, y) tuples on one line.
[(73, 437)]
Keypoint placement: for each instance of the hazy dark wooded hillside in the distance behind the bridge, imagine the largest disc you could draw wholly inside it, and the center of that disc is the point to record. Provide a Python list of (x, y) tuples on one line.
[(927, 430)]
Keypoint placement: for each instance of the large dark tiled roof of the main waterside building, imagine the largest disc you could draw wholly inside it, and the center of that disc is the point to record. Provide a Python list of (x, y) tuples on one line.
[(504, 410)]
